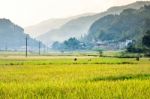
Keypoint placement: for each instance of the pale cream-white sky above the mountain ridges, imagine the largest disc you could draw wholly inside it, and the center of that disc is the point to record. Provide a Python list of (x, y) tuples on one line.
[(29, 12)]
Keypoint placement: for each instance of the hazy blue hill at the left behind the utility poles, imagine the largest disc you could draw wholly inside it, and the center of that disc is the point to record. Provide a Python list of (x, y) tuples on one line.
[(13, 37)]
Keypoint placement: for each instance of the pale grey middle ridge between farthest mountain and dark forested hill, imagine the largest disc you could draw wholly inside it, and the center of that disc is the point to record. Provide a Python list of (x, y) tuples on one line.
[(80, 26)]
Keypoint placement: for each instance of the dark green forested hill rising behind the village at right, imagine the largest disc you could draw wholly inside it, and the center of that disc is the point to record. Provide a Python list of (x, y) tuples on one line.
[(130, 24)]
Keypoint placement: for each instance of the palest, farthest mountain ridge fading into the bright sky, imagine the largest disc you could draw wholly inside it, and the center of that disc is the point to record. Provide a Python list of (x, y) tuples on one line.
[(50, 24)]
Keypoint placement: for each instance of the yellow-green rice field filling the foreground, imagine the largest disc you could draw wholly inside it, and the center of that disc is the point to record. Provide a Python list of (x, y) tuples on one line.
[(60, 77)]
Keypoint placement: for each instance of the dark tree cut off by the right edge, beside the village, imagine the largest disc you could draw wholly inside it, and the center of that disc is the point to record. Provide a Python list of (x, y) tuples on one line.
[(146, 43)]
